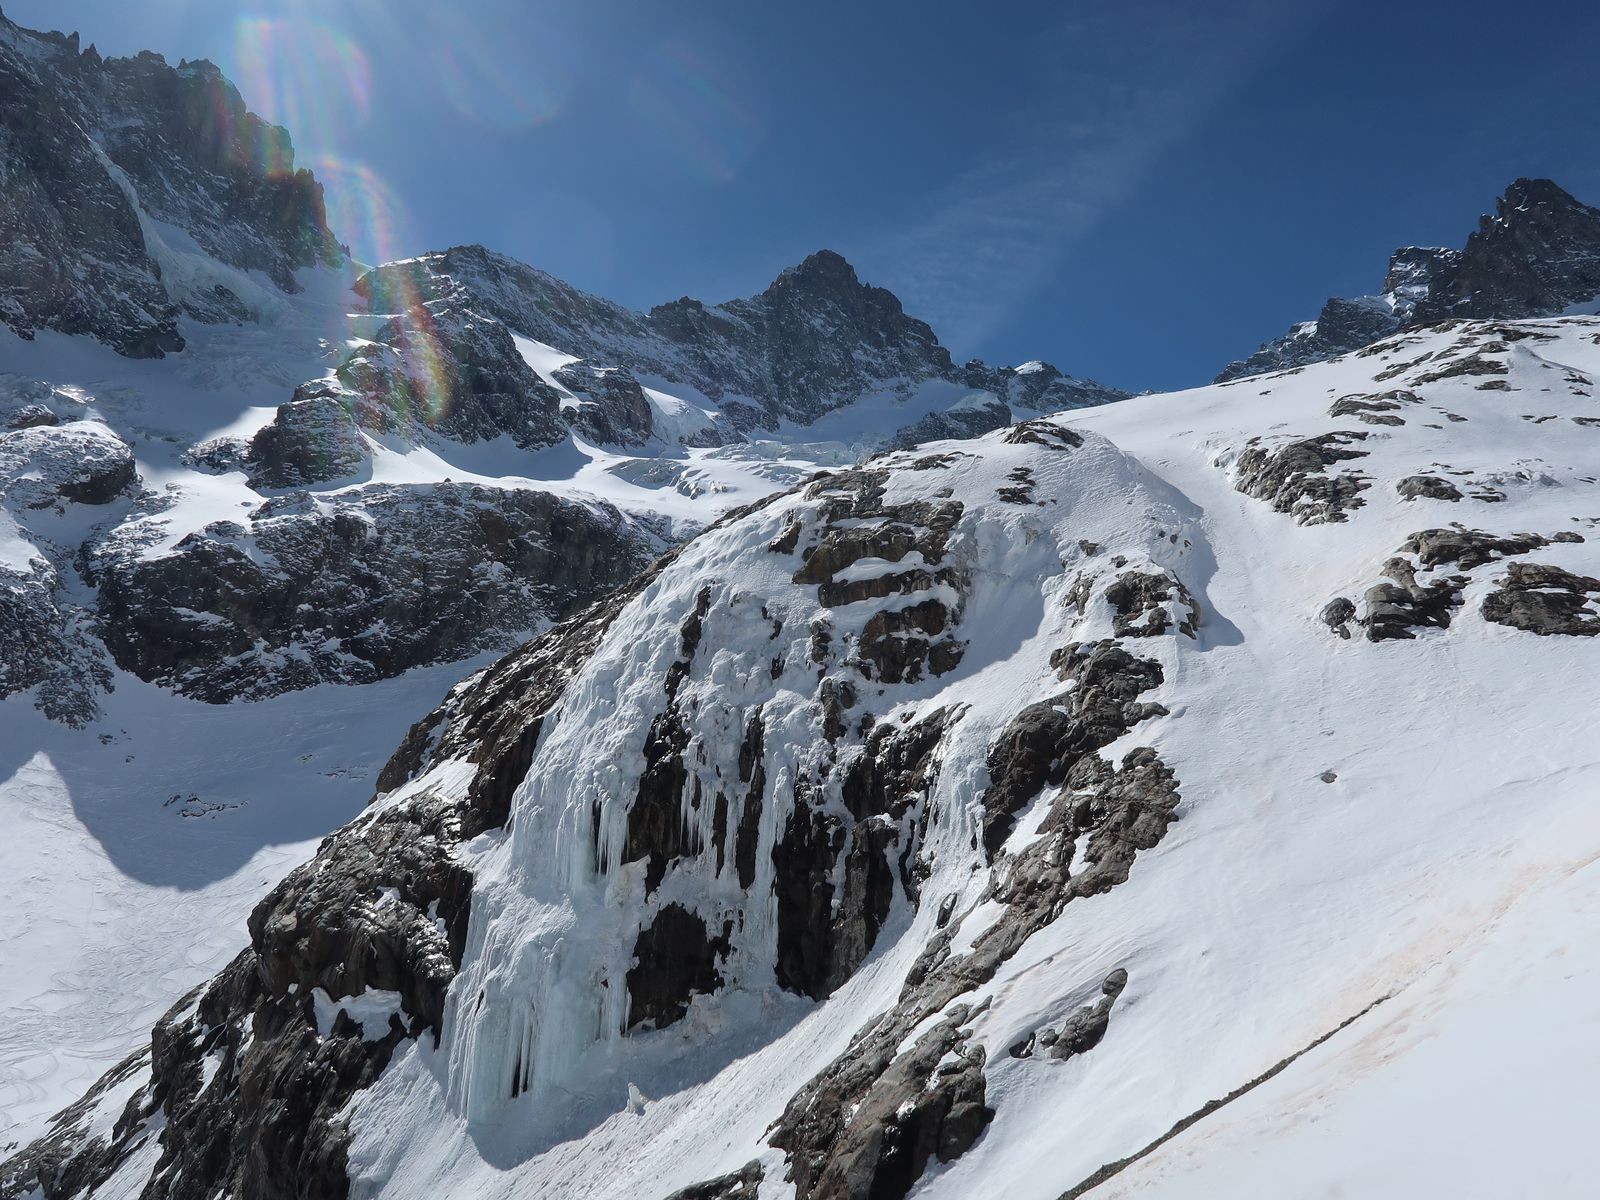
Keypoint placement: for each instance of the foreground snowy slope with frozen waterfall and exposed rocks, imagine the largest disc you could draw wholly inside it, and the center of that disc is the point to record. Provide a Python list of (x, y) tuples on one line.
[(1022, 815)]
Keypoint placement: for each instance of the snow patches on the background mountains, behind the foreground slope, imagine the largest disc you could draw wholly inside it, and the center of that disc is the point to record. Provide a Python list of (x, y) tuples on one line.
[(119, 902)]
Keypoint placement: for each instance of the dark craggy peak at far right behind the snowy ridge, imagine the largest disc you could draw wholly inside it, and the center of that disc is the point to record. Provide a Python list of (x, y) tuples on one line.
[(1538, 257)]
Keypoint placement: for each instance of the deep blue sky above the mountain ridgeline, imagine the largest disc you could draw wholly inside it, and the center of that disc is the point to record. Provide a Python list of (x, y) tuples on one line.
[(1135, 191)]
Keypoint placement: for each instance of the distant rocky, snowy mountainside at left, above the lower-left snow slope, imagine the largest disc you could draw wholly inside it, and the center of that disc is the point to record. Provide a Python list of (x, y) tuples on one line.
[(247, 519)]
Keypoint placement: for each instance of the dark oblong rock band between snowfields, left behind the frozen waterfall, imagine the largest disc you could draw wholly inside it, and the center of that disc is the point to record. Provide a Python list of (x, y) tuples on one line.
[(361, 590)]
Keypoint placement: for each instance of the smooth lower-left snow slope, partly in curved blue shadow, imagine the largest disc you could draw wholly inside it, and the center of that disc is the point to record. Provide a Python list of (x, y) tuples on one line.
[(135, 849)]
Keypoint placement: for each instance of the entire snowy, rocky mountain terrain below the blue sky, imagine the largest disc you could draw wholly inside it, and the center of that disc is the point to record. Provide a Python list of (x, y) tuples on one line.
[(466, 737)]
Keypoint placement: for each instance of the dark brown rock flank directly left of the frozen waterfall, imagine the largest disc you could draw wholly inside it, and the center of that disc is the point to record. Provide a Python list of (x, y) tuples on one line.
[(382, 913)]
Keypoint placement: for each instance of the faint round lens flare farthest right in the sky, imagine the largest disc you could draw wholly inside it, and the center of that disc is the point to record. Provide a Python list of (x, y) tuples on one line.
[(702, 106)]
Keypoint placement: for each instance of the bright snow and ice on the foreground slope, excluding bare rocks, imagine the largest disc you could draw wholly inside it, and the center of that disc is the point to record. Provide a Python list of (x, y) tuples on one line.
[(1441, 889)]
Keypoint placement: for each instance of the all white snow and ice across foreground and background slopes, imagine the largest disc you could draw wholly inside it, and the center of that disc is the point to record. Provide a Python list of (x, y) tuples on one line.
[(1447, 871)]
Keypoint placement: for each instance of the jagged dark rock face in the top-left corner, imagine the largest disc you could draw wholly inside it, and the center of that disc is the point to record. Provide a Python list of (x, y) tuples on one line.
[(92, 148)]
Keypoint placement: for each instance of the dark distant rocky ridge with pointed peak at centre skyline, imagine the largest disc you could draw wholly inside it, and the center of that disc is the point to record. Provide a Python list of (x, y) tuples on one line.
[(818, 338)]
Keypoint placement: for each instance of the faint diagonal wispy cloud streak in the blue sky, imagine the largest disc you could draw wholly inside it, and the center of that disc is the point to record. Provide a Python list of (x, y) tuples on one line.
[(1124, 84)]
